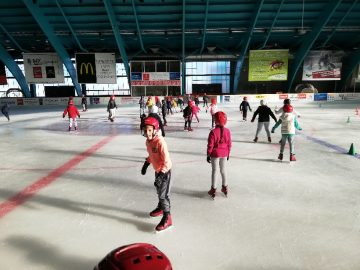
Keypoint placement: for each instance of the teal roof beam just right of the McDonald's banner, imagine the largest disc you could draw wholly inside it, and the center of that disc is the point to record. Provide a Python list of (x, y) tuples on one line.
[(119, 41)]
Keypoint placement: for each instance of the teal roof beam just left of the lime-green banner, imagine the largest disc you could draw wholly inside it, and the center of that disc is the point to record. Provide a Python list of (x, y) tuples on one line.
[(245, 44)]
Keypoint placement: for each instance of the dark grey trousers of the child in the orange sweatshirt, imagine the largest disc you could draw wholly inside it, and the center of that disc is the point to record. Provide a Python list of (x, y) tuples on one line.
[(162, 184)]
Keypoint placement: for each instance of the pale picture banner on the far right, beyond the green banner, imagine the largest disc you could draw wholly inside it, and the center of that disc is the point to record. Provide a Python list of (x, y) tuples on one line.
[(322, 66)]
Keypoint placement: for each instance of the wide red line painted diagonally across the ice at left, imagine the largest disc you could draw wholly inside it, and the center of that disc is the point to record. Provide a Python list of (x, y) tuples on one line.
[(31, 190)]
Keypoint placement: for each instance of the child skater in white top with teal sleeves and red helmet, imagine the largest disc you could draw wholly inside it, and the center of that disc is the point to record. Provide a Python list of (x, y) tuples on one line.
[(288, 123)]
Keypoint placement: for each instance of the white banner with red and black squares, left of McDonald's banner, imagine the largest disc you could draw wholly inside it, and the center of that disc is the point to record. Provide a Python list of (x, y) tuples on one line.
[(43, 68)]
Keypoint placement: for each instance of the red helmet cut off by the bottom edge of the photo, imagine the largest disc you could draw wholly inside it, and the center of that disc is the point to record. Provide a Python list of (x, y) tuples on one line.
[(135, 257)]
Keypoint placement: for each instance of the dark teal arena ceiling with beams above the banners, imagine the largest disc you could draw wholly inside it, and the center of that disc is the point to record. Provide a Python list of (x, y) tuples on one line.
[(171, 28)]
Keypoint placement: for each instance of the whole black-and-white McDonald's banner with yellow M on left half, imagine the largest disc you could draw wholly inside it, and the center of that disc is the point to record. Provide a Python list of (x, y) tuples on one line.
[(99, 68)]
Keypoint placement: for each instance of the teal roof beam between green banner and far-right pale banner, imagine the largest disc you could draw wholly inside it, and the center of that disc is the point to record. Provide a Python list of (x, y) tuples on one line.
[(310, 39)]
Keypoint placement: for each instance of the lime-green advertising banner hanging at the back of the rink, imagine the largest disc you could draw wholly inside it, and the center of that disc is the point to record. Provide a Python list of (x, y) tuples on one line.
[(268, 65)]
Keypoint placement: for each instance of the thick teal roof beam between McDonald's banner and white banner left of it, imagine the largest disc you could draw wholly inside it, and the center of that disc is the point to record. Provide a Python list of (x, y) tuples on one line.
[(42, 21)]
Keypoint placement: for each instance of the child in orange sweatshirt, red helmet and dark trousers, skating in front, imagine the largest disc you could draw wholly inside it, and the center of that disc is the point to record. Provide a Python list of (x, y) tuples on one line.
[(160, 159)]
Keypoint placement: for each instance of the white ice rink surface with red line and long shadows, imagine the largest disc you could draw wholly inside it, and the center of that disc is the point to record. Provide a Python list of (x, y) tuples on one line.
[(67, 199)]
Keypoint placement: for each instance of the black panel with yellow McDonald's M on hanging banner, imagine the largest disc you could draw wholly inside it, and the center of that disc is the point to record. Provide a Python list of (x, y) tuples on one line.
[(86, 68)]
